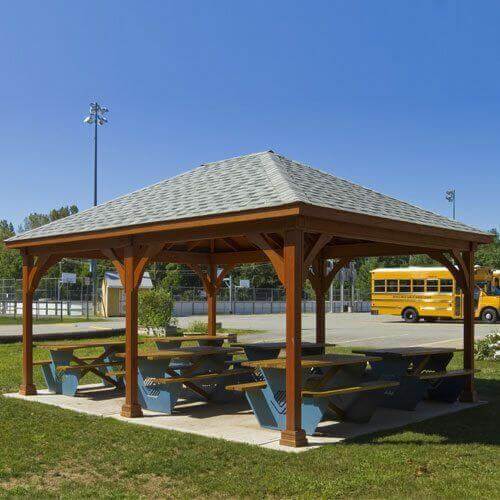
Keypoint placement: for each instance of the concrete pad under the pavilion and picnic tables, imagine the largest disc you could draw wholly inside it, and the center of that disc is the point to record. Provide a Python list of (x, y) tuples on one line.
[(235, 421)]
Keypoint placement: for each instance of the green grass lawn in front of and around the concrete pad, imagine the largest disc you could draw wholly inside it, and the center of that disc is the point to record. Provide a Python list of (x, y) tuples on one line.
[(46, 451)]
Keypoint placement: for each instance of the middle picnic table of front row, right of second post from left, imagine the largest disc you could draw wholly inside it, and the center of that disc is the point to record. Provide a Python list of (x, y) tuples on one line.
[(165, 375)]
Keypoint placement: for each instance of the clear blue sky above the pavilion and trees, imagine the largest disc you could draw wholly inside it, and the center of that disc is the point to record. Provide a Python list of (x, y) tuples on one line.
[(400, 96)]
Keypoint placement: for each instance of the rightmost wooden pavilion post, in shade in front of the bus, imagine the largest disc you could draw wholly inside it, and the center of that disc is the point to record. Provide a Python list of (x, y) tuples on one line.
[(469, 394)]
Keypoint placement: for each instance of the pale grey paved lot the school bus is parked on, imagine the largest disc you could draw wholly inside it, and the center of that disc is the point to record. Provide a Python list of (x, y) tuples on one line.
[(357, 329)]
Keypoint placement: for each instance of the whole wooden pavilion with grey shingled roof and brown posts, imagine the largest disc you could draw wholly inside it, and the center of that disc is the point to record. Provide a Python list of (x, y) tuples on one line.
[(255, 208)]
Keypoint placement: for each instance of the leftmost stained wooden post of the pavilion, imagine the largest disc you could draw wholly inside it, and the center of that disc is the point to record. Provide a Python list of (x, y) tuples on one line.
[(27, 387)]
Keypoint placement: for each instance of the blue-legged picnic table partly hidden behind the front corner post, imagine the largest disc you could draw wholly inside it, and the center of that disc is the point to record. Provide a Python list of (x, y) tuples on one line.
[(334, 383)]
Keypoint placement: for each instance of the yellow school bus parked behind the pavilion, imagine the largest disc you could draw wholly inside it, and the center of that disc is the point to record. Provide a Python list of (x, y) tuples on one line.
[(430, 293)]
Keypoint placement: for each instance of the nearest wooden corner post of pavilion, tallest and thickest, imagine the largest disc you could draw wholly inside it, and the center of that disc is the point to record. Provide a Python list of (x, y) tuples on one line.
[(293, 435)]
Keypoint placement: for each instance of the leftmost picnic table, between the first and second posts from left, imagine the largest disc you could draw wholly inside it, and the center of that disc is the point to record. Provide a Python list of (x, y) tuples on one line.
[(65, 368)]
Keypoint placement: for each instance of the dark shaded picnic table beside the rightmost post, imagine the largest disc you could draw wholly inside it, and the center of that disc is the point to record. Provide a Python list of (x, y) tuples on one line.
[(421, 372)]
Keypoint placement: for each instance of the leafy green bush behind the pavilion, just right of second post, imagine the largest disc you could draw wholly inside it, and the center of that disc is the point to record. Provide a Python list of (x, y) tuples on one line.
[(155, 308)]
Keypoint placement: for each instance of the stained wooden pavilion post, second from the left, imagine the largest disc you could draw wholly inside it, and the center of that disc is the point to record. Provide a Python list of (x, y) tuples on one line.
[(131, 408)]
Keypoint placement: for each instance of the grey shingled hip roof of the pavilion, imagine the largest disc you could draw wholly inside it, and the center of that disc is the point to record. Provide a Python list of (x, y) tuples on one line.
[(259, 180)]
